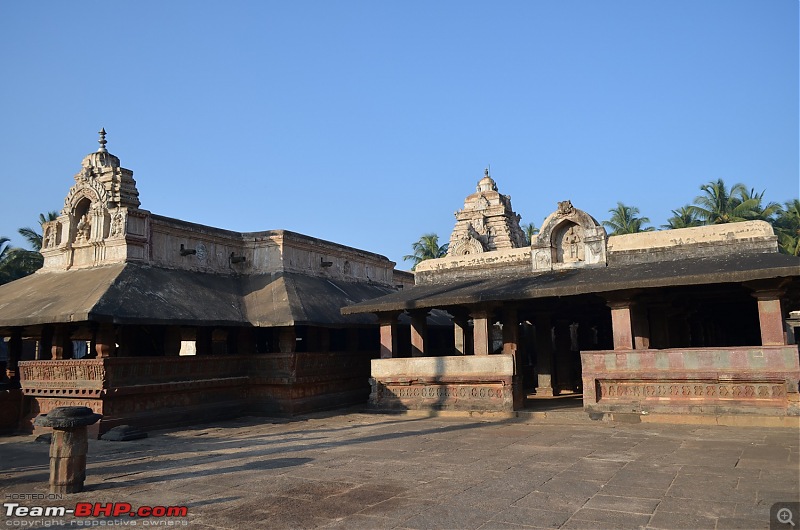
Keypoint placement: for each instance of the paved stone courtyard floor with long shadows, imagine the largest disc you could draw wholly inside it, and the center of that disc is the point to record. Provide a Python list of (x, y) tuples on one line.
[(356, 470)]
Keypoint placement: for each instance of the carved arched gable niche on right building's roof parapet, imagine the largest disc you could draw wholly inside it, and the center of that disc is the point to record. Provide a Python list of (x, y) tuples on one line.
[(569, 238)]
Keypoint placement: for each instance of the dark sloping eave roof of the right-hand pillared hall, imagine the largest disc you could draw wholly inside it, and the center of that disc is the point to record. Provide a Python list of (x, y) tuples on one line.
[(732, 268)]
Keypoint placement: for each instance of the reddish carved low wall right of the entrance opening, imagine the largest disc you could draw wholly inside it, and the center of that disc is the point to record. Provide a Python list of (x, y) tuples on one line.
[(736, 380)]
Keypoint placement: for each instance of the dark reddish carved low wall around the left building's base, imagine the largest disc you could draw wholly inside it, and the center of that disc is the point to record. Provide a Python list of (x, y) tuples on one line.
[(151, 392)]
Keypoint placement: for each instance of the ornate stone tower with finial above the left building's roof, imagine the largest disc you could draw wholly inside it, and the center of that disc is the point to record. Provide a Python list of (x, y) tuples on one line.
[(101, 221)]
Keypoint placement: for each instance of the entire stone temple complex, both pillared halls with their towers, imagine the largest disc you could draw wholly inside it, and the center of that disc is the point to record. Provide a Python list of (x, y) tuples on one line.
[(152, 321)]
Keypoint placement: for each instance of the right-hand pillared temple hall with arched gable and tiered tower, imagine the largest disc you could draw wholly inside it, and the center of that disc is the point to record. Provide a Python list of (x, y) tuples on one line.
[(689, 321)]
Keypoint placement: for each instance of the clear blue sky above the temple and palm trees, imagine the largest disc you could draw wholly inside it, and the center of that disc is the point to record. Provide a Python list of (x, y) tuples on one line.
[(367, 123)]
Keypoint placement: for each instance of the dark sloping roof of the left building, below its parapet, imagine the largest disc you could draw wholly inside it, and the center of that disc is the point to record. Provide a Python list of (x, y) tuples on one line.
[(132, 293)]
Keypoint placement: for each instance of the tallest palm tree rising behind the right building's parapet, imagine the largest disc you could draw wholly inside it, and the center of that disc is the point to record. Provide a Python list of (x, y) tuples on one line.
[(720, 205)]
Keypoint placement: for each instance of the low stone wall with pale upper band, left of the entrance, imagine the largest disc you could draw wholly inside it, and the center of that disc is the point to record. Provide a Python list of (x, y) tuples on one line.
[(462, 383)]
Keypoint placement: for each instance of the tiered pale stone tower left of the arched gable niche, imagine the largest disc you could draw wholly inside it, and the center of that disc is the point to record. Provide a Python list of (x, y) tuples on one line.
[(486, 222)]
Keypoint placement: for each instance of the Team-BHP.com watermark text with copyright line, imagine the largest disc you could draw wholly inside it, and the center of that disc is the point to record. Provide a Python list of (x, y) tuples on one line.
[(51, 510)]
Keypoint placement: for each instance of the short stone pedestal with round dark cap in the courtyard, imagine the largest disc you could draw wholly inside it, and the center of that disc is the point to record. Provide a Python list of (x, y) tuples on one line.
[(68, 446)]
